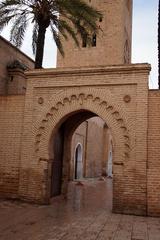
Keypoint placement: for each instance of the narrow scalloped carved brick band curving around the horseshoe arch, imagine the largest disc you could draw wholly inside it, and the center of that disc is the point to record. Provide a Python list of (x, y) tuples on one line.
[(105, 106)]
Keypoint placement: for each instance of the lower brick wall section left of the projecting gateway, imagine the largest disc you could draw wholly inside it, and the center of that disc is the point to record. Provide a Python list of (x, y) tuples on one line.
[(11, 119)]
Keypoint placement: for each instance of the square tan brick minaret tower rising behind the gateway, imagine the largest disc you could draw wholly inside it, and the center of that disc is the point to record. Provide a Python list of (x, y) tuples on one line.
[(111, 46)]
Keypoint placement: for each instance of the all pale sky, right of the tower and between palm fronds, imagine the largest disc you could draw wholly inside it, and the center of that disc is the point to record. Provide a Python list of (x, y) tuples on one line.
[(144, 43)]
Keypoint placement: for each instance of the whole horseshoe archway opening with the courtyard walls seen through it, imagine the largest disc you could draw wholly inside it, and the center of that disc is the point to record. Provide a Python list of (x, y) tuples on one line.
[(81, 150)]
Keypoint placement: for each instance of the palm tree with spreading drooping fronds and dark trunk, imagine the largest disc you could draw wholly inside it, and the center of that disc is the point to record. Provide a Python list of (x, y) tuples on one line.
[(77, 19)]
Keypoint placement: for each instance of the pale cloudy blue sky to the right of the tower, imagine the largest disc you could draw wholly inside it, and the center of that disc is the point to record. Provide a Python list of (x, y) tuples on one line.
[(144, 42)]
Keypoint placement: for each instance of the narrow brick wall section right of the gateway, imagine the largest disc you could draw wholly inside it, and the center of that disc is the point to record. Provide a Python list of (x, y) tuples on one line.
[(153, 172)]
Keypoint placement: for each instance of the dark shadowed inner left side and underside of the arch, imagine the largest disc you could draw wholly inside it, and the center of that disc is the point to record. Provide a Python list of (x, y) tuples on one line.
[(61, 138)]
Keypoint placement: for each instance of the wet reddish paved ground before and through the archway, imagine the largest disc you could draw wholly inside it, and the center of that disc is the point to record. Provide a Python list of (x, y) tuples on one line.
[(85, 215)]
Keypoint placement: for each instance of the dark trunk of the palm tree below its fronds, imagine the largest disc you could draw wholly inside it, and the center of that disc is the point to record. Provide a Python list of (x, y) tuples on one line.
[(40, 46)]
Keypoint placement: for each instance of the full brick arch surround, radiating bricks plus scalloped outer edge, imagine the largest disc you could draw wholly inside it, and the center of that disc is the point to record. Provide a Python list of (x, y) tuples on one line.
[(108, 112)]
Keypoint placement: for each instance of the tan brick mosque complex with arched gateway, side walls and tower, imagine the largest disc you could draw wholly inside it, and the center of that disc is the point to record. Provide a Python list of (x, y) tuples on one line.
[(91, 117)]
